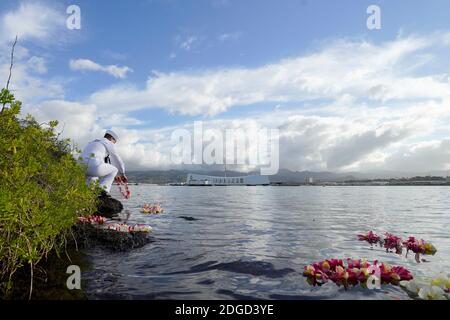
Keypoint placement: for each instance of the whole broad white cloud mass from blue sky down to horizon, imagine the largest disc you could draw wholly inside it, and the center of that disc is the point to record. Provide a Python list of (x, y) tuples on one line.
[(370, 111)]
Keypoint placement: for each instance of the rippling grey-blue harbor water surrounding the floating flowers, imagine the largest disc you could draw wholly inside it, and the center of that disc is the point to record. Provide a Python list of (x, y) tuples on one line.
[(253, 242)]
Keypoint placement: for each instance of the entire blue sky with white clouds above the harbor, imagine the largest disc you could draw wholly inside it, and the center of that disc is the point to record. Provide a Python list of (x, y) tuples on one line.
[(146, 67)]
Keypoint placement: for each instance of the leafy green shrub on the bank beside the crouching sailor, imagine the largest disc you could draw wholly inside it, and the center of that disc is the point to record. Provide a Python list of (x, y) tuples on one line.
[(42, 191)]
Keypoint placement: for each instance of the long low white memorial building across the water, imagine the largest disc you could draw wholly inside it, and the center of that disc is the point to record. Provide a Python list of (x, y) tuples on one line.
[(204, 180)]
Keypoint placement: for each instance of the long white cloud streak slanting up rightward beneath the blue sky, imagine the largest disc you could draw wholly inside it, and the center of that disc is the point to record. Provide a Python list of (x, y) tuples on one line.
[(374, 72)]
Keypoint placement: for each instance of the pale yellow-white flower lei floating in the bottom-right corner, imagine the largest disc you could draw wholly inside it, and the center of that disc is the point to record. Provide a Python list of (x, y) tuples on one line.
[(429, 289)]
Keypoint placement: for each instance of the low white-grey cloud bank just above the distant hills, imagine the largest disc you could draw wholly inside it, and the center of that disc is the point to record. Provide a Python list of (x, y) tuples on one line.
[(360, 138)]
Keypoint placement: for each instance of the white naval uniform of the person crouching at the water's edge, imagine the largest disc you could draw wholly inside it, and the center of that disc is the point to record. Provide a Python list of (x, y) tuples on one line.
[(94, 157)]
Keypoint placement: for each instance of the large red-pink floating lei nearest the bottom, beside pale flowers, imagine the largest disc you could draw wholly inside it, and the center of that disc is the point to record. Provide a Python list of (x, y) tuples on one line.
[(354, 272)]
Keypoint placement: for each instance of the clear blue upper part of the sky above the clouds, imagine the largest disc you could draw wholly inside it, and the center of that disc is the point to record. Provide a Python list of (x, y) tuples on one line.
[(144, 34)]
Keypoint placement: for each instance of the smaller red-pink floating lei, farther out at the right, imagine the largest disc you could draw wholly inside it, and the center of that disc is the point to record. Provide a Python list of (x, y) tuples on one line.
[(392, 242)]
